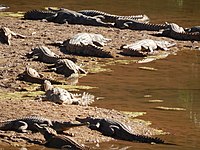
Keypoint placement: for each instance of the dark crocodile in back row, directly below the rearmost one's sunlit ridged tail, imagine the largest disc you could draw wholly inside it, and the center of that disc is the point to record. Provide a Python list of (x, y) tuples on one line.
[(136, 25)]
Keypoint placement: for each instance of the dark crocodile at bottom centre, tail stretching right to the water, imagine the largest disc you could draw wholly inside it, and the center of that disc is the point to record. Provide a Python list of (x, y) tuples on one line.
[(117, 130)]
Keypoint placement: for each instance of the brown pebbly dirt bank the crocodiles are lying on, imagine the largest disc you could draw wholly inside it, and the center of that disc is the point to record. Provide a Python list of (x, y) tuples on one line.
[(19, 98)]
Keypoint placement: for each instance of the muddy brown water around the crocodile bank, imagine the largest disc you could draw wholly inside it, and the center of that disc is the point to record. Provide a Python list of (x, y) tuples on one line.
[(176, 80)]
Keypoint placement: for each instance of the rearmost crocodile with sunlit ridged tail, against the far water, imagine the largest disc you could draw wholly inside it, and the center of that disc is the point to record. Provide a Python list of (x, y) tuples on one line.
[(112, 18)]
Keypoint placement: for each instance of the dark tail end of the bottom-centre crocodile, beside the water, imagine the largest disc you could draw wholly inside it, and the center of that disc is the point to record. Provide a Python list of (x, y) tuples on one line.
[(146, 139)]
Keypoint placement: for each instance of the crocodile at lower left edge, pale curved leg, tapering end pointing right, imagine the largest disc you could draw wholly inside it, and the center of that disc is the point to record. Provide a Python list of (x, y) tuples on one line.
[(26, 124)]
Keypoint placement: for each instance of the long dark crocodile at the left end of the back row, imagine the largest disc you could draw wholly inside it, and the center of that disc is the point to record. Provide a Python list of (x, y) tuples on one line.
[(65, 16)]
